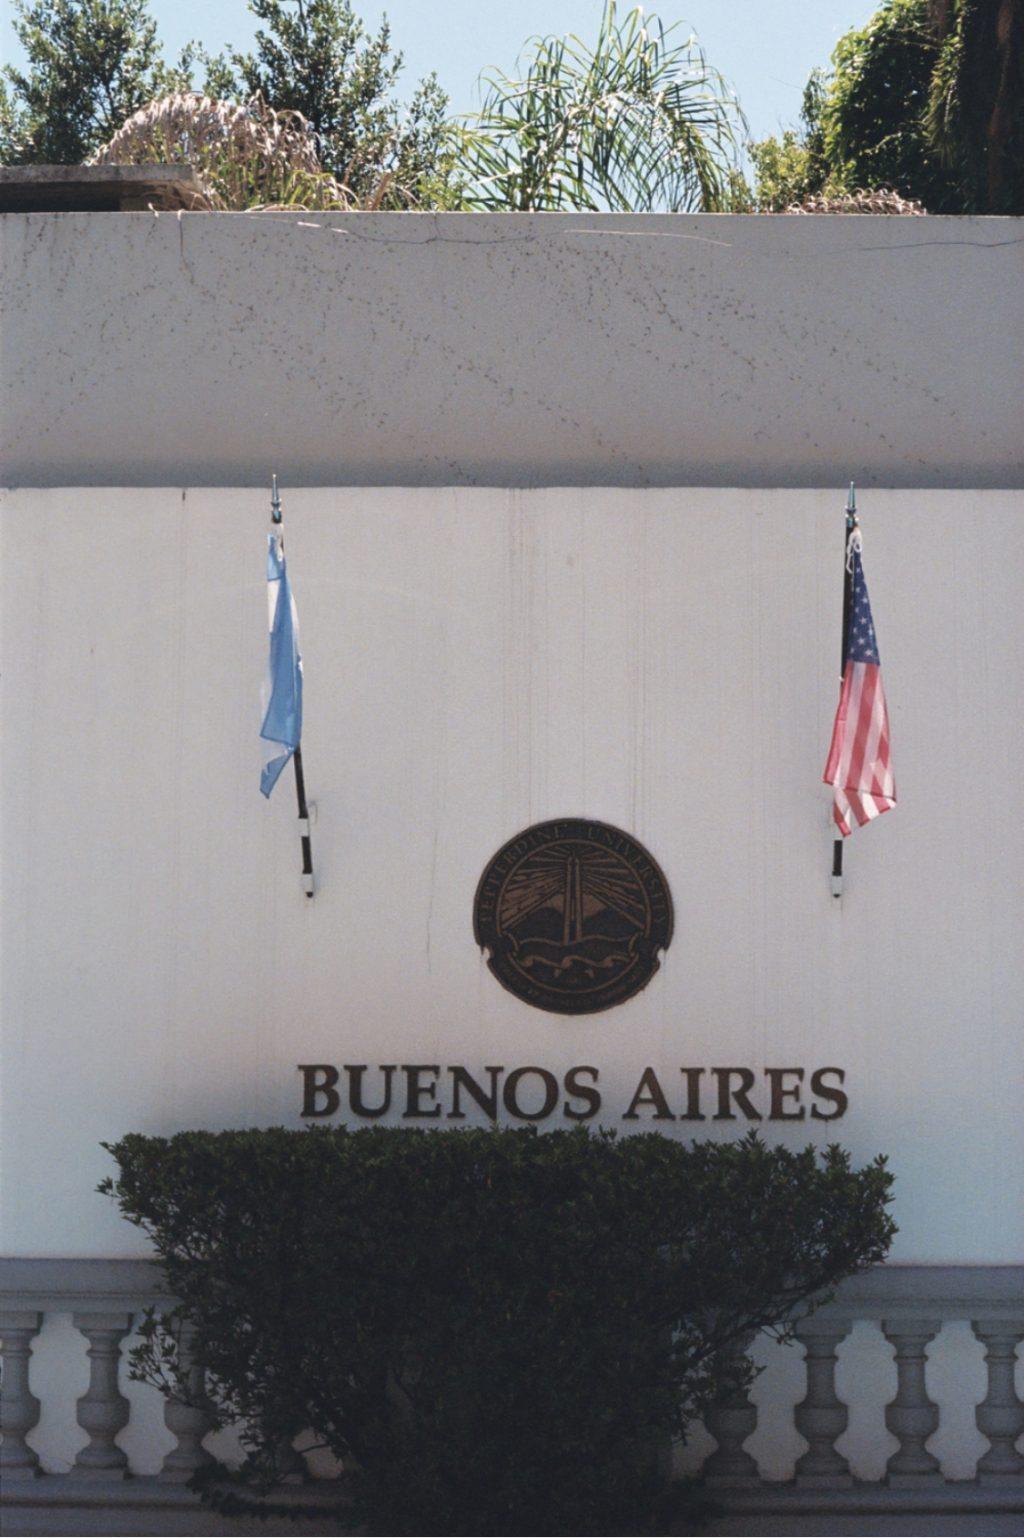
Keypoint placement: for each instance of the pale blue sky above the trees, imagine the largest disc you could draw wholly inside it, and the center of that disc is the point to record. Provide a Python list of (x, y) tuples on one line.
[(765, 48)]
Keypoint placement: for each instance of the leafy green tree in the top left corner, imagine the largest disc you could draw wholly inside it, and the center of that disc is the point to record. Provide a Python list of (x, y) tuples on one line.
[(91, 64)]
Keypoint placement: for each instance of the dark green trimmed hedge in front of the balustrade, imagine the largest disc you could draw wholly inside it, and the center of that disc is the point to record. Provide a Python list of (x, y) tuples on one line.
[(494, 1330)]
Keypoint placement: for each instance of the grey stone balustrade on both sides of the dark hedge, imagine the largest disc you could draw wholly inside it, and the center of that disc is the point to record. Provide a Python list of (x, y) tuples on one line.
[(908, 1303)]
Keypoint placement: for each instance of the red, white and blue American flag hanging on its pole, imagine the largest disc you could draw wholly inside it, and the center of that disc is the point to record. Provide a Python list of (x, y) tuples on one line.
[(860, 764)]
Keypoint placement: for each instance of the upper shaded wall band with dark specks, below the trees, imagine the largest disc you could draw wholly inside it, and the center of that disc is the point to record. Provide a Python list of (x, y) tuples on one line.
[(404, 350)]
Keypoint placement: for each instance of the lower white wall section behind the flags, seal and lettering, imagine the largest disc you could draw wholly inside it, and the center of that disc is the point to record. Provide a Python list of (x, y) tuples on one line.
[(479, 661)]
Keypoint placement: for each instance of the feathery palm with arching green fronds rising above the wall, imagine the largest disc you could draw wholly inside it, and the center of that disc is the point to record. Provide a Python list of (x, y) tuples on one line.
[(636, 122)]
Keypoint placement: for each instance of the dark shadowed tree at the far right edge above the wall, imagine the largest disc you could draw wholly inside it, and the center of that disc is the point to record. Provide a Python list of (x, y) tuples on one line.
[(976, 110)]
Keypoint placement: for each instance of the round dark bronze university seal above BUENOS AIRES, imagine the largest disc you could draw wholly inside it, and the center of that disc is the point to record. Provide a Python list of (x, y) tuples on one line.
[(573, 916)]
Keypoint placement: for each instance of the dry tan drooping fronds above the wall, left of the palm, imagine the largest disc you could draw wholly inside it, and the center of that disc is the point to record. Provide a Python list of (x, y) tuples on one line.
[(245, 156)]
